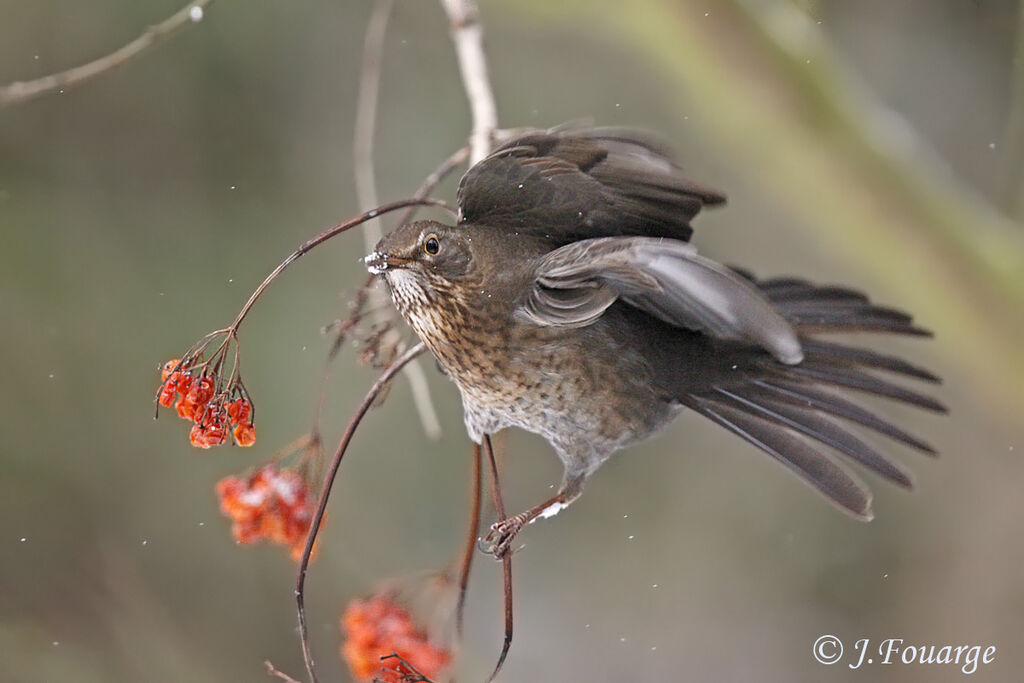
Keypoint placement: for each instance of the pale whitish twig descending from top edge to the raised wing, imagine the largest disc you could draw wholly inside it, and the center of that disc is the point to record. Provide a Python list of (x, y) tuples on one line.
[(467, 33)]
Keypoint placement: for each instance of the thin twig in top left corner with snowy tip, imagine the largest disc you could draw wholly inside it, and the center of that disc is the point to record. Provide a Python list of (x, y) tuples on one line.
[(21, 92)]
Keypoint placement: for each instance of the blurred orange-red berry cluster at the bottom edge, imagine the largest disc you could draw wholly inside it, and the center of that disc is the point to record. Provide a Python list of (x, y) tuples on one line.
[(379, 627)]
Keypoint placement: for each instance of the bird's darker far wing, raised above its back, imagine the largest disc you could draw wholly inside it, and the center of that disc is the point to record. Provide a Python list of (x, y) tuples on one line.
[(572, 185)]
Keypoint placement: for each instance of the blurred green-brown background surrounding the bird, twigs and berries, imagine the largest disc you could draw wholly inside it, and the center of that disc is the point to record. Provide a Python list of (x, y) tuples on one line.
[(875, 144)]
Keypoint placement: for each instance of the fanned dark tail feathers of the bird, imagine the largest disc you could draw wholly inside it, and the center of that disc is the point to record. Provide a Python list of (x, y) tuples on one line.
[(784, 410)]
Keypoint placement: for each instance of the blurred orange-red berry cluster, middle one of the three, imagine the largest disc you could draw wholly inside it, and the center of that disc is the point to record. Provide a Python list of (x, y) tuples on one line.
[(272, 504)]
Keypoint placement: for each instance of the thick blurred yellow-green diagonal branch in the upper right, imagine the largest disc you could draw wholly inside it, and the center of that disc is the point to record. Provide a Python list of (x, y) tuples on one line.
[(885, 146)]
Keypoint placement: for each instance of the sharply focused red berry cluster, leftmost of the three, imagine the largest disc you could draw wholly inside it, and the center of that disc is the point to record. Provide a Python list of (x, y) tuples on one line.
[(214, 410)]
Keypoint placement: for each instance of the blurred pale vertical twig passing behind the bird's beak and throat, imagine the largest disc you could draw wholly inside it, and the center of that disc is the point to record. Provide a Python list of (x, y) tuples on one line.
[(366, 190)]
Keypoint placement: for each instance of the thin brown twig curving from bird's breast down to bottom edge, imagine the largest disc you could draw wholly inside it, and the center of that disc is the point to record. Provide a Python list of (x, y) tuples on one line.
[(318, 520)]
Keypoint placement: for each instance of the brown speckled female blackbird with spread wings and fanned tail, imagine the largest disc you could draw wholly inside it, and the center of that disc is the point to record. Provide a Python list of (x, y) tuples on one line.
[(569, 303)]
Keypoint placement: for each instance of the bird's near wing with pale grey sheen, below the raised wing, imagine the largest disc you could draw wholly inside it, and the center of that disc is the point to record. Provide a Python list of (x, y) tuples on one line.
[(574, 286)]
